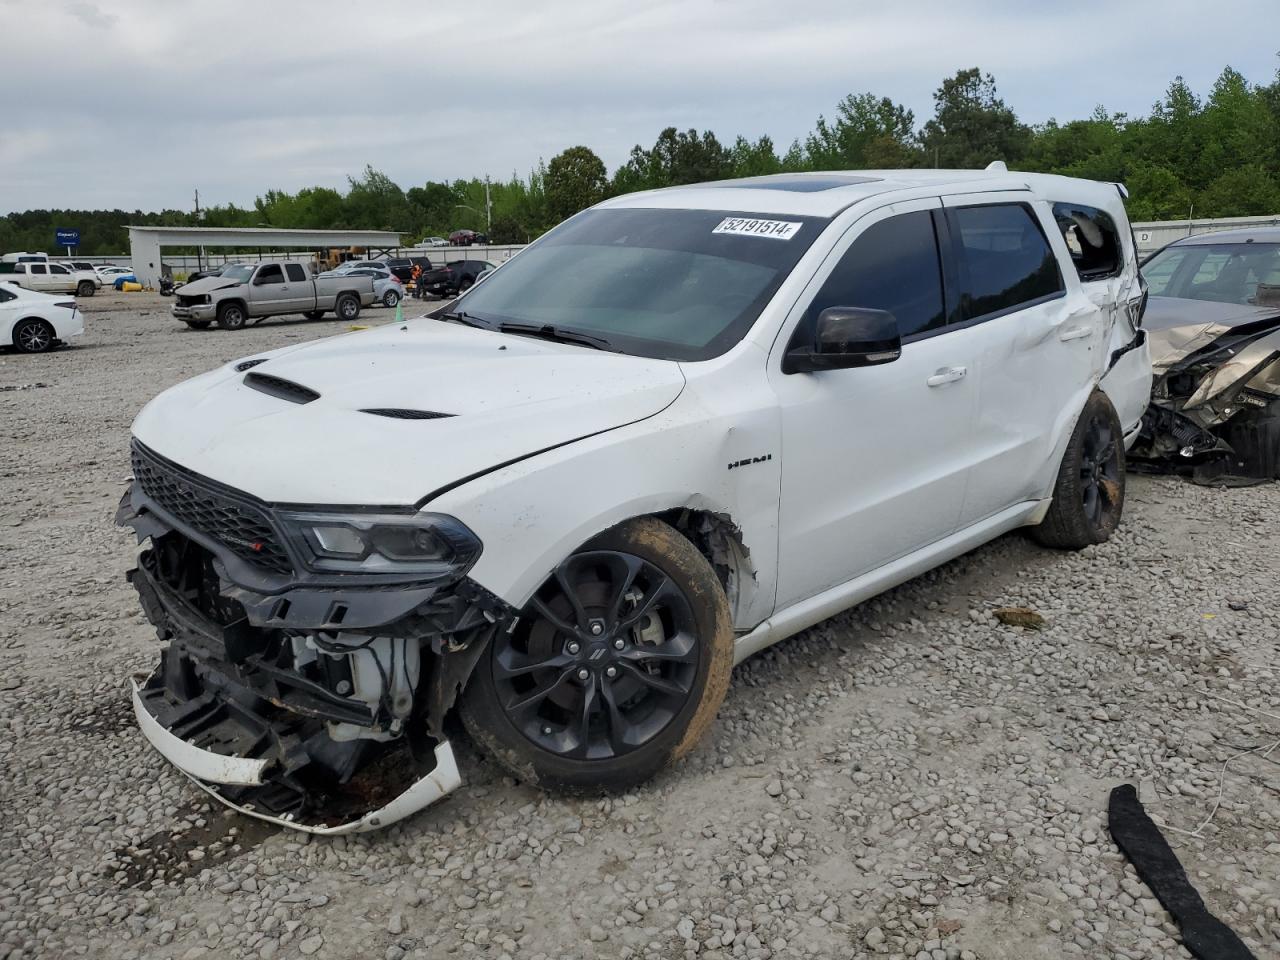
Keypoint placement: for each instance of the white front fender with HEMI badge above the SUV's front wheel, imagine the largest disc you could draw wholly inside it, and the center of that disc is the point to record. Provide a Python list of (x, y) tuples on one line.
[(534, 514)]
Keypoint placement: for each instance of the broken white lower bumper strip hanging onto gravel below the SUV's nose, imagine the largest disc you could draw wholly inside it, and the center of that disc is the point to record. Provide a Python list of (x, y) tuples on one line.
[(214, 774)]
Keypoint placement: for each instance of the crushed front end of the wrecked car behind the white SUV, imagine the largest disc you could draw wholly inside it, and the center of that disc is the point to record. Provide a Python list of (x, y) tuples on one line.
[(1215, 408)]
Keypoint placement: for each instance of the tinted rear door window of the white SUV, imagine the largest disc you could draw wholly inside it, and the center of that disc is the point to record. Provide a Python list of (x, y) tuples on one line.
[(1005, 262)]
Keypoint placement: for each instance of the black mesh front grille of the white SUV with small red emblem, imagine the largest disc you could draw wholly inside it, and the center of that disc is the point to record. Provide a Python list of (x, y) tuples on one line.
[(234, 522)]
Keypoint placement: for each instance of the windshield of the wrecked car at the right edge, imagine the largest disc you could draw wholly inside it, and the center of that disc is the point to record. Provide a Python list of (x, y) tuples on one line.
[(1228, 273)]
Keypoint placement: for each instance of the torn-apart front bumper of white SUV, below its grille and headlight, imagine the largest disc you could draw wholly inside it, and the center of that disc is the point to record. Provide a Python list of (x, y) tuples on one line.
[(312, 706)]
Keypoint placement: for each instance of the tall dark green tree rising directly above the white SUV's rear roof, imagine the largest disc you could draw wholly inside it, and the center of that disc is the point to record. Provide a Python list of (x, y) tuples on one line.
[(972, 126)]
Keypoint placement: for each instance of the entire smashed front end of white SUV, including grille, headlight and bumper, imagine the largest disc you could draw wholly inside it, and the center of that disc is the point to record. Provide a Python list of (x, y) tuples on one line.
[(312, 656)]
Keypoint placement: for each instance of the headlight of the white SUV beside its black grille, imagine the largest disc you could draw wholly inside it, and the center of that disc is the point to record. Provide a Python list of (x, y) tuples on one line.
[(429, 546)]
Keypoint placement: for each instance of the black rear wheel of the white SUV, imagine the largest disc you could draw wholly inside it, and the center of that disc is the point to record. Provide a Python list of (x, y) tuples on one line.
[(1089, 497)]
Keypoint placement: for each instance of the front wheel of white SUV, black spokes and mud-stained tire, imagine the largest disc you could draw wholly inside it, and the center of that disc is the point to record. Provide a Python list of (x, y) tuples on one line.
[(616, 669)]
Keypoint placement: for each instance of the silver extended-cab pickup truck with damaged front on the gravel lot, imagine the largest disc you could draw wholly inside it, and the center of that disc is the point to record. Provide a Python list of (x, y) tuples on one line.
[(272, 289)]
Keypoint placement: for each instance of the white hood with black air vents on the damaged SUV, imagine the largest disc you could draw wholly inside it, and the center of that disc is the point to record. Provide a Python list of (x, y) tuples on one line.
[(504, 397)]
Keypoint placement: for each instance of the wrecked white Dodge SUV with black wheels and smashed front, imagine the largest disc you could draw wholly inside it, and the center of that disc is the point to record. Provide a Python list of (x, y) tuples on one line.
[(679, 428)]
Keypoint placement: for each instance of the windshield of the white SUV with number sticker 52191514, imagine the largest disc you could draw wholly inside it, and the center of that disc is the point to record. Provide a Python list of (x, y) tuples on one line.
[(673, 285)]
